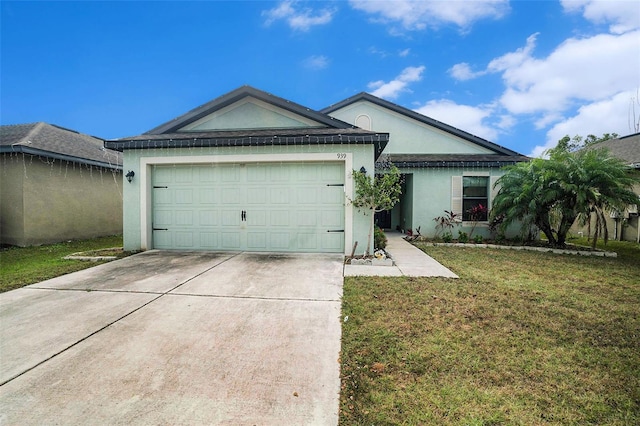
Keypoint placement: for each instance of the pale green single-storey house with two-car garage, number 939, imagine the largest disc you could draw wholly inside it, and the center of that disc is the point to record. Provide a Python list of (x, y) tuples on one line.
[(252, 171)]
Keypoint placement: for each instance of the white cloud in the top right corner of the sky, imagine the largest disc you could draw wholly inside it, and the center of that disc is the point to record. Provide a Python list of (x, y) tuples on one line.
[(622, 16)]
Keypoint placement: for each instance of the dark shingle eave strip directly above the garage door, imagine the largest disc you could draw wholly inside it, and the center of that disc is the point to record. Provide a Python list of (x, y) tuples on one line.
[(261, 137)]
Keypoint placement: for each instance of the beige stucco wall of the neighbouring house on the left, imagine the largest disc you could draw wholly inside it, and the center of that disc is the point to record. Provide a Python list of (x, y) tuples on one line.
[(45, 201)]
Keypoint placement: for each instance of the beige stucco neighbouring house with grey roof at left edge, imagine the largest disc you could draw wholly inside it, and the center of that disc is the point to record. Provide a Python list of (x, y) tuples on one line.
[(57, 184)]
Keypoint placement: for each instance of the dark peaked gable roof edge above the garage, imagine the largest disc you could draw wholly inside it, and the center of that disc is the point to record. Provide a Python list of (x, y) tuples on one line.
[(230, 98)]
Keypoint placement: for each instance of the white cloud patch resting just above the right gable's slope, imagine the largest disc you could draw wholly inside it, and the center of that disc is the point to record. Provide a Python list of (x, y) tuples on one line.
[(468, 118)]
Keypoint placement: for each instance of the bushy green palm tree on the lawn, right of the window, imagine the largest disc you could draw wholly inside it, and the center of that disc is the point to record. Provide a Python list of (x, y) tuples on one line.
[(551, 194)]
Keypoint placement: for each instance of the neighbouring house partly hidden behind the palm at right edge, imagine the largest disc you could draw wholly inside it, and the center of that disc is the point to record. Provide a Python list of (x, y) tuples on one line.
[(622, 226)]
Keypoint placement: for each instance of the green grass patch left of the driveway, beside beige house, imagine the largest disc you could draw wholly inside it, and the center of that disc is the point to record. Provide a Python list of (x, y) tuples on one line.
[(22, 266)]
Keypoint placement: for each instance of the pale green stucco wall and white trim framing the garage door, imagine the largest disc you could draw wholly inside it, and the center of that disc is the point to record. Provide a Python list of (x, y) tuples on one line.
[(137, 194)]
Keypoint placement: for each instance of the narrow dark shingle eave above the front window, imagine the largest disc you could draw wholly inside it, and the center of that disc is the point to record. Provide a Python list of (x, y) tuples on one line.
[(455, 160)]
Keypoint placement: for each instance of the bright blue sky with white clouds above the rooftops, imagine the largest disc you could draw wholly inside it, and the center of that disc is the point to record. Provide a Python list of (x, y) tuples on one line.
[(519, 73)]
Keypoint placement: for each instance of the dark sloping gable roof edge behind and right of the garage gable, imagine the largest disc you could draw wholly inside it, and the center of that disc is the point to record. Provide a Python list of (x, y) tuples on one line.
[(363, 96)]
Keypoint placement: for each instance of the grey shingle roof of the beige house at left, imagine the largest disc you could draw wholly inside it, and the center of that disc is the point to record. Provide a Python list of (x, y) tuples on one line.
[(52, 141)]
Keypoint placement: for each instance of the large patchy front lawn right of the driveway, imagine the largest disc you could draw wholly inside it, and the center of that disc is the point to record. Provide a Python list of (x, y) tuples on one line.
[(522, 338)]
